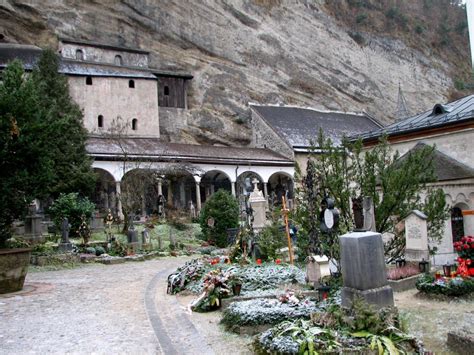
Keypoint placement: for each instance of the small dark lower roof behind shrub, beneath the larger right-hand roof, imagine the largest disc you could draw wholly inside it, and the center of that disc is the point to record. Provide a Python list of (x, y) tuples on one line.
[(446, 167)]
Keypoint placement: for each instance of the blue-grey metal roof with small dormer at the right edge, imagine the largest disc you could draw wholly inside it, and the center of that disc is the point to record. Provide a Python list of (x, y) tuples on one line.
[(458, 111)]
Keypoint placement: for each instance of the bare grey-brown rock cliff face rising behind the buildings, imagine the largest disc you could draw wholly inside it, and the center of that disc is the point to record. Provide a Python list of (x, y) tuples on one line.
[(262, 51)]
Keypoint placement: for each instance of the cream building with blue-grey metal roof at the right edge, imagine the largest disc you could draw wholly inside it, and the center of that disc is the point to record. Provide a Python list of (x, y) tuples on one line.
[(450, 128)]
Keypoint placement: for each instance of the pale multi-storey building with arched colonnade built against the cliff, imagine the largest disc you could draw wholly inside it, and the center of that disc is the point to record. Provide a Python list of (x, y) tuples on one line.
[(123, 100)]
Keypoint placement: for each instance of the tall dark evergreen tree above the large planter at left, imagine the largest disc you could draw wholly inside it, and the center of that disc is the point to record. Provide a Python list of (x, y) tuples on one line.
[(42, 140)]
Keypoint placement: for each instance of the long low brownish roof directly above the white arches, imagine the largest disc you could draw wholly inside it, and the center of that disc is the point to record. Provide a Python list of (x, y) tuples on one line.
[(153, 149)]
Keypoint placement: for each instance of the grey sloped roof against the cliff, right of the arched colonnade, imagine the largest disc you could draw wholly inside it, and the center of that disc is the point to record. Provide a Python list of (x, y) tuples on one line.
[(300, 125)]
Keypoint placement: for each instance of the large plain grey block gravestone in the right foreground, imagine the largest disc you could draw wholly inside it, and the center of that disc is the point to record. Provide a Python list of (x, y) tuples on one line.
[(363, 269)]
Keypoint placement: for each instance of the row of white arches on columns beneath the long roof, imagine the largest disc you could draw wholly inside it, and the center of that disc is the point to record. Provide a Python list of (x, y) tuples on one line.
[(182, 186)]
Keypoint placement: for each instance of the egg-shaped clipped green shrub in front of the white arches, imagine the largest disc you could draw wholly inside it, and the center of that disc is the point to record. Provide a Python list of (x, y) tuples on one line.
[(223, 208)]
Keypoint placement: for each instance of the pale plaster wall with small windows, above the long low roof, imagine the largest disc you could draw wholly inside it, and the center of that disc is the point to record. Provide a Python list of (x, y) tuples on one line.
[(112, 98)]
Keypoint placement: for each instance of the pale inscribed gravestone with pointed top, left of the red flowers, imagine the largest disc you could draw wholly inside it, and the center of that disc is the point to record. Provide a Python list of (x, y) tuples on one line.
[(416, 236)]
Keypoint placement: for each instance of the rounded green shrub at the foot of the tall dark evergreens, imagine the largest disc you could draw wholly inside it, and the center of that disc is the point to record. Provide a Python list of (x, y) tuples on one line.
[(72, 207)]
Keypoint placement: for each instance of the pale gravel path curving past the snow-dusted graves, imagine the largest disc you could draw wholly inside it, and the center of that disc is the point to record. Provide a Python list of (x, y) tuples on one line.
[(122, 309)]
